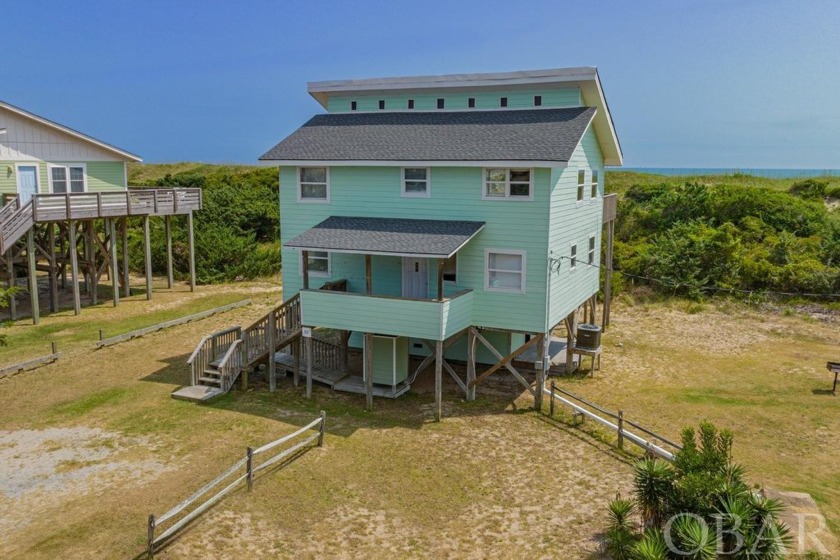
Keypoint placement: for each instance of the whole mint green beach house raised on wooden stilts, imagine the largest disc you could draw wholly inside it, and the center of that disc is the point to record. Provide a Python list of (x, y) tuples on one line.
[(450, 218)]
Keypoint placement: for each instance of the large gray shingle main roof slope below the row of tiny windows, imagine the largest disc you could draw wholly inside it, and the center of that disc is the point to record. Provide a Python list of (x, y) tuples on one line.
[(513, 135)]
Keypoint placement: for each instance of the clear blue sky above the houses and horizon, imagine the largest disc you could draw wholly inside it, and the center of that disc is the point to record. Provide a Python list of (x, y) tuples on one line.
[(713, 83)]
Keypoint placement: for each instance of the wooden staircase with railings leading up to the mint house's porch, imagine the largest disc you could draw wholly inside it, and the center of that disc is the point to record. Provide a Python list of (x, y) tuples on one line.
[(220, 357)]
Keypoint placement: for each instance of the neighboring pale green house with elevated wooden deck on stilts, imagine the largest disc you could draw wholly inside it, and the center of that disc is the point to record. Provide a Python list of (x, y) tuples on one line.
[(58, 183)]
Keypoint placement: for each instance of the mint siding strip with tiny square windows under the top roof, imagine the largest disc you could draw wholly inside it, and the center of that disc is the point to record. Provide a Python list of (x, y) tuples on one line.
[(517, 99)]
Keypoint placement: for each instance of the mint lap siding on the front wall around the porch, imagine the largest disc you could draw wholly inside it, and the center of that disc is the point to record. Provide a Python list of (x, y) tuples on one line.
[(455, 195)]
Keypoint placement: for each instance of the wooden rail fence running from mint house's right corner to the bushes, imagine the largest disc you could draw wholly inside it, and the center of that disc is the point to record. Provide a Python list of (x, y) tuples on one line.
[(577, 404)]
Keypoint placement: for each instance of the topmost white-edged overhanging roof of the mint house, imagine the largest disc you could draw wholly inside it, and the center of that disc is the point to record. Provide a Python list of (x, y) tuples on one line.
[(586, 78)]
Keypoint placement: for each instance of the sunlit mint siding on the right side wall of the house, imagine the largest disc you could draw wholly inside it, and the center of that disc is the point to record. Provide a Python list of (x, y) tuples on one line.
[(574, 222)]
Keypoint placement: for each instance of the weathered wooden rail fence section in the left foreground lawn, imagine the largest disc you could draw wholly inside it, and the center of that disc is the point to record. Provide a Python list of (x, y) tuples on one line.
[(248, 462)]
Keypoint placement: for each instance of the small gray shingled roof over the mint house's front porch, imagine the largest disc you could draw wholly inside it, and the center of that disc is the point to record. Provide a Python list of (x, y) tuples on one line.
[(387, 236)]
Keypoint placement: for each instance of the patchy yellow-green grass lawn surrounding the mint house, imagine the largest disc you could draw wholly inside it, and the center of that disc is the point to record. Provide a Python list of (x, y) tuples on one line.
[(92, 444)]
